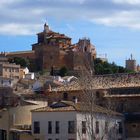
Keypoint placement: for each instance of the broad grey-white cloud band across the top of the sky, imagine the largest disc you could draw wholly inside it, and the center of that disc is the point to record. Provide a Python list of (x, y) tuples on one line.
[(29, 12)]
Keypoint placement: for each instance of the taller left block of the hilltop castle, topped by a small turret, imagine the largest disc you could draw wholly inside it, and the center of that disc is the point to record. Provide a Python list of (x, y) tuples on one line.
[(50, 49)]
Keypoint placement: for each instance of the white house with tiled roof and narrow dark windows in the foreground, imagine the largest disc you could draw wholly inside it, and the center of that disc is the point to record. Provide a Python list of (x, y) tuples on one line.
[(66, 120)]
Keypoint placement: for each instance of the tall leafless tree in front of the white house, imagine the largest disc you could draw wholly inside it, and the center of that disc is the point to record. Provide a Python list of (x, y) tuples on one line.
[(90, 100)]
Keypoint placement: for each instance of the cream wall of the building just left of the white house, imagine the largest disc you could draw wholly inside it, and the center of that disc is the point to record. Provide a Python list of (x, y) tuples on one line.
[(20, 115)]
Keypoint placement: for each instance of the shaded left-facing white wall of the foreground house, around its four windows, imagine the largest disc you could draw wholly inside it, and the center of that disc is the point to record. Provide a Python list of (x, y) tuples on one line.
[(62, 117)]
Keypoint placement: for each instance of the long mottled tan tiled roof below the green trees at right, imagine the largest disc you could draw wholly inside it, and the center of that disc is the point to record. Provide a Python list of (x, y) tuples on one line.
[(106, 81)]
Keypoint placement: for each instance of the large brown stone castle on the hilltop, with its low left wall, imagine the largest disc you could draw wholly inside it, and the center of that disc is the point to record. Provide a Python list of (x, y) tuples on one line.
[(54, 51)]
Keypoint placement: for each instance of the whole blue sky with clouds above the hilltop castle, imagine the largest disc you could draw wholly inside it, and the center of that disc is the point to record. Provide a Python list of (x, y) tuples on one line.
[(112, 25)]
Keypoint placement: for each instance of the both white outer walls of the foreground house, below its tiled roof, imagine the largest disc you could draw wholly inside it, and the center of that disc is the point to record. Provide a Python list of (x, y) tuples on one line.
[(63, 118)]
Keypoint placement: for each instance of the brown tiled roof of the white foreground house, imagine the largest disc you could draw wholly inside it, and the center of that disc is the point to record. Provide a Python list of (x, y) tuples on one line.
[(66, 106)]
